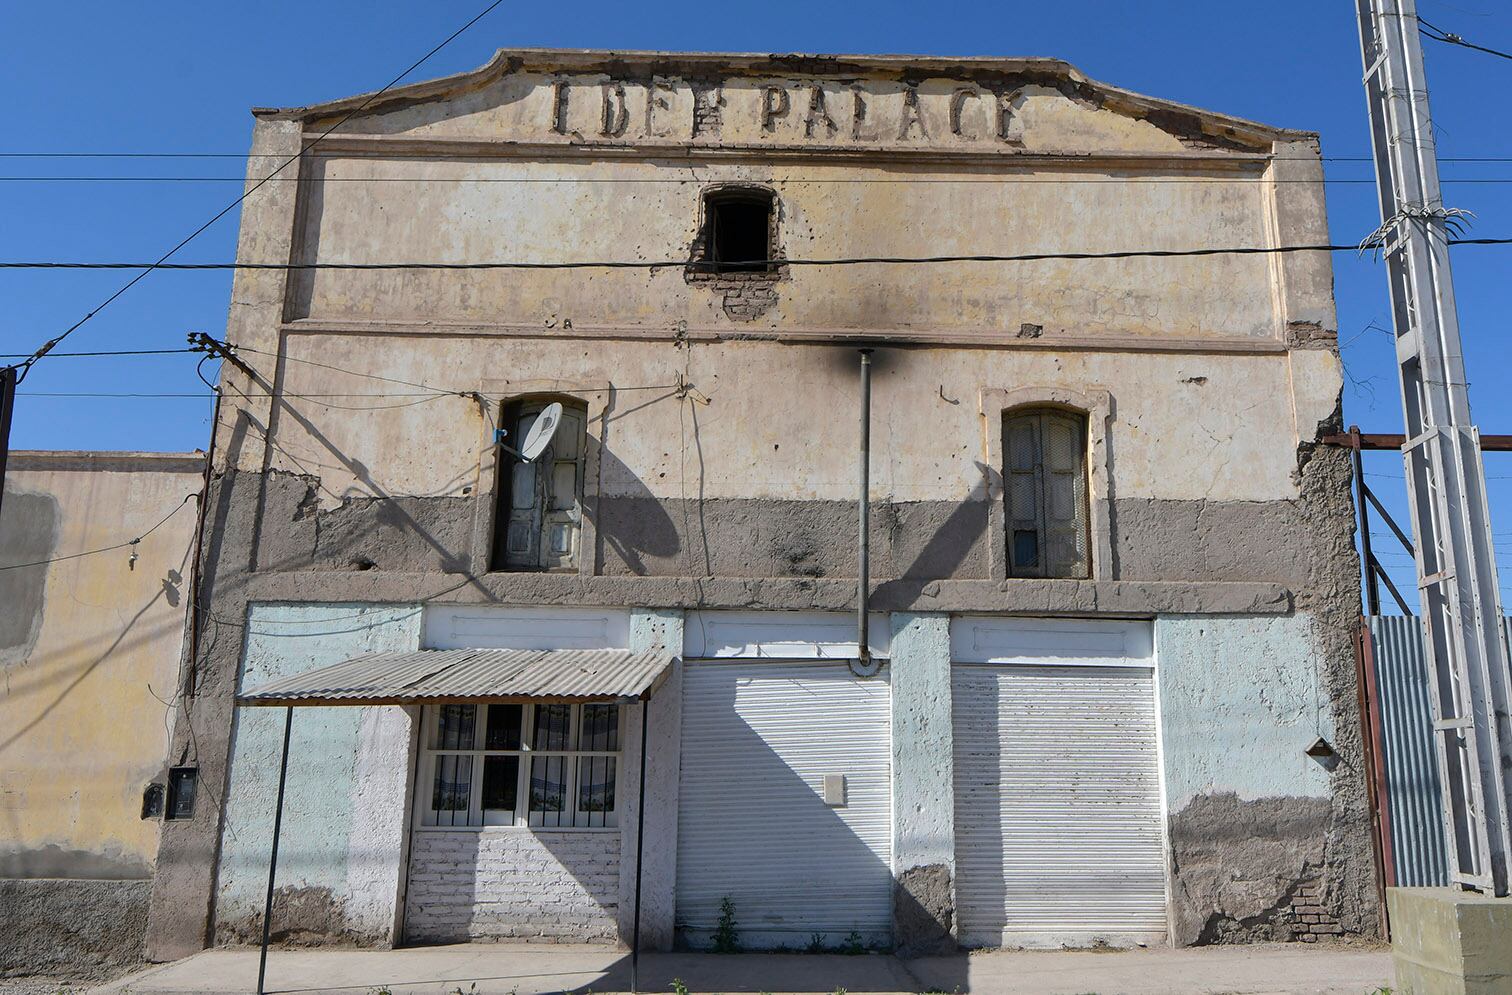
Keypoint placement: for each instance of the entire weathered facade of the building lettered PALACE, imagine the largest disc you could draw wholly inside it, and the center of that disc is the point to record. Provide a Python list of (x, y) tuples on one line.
[(1115, 584)]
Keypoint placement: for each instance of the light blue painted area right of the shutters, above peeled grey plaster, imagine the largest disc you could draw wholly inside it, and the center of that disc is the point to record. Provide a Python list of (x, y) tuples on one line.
[(1241, 699)]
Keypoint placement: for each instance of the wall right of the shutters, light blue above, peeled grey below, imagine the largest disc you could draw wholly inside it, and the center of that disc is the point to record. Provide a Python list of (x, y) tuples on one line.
[(1242, 701)]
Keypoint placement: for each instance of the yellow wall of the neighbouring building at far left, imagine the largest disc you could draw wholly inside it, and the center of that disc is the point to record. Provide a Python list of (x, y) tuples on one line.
[(90, 651)]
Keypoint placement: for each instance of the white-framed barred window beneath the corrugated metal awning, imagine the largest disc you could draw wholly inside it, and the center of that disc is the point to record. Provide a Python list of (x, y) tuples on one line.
[(541, 766)]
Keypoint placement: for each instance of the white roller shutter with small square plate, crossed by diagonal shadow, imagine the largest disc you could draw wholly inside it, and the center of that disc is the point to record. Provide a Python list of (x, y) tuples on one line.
[(758, 742)]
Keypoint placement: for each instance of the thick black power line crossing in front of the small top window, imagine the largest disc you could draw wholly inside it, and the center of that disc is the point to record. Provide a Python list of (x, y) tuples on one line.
[(714, 268)]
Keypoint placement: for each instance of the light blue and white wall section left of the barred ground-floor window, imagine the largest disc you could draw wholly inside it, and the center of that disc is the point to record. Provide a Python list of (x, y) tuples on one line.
[(349, 773)]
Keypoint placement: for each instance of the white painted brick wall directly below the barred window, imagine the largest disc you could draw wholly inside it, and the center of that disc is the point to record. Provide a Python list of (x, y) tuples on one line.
[(556, 887)]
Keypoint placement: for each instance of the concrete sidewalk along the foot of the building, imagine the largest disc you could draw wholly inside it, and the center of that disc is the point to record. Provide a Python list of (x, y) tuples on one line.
[(501, 970)]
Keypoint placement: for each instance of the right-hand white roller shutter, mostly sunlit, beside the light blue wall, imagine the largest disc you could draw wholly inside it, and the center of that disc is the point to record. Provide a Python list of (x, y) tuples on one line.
[(1058, 807)]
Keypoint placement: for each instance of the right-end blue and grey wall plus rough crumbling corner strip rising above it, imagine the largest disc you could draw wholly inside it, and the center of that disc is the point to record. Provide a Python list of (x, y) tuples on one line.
[(1266, 842)]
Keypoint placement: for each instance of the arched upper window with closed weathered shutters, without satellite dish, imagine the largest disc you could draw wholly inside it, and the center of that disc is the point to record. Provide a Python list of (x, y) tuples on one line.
[(1046, 494)]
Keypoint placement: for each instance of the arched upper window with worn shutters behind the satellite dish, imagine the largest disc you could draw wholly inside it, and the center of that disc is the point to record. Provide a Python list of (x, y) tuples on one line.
[(539, 518)]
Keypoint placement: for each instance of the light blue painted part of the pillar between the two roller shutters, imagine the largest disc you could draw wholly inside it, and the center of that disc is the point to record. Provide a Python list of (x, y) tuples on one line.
[(923, 743)]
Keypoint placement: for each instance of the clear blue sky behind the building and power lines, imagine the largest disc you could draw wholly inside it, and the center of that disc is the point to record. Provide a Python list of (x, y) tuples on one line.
[(181, 78)]
